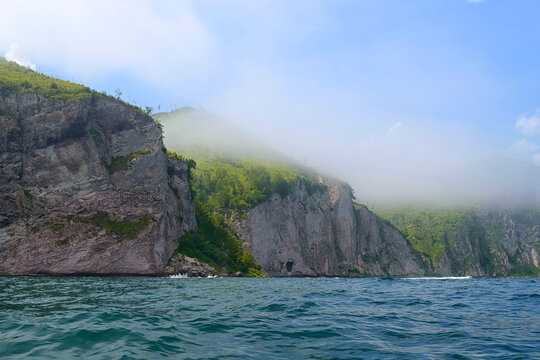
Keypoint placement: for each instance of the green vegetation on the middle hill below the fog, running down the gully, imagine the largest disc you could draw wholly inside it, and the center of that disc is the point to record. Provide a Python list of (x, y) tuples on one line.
[(224, 186)]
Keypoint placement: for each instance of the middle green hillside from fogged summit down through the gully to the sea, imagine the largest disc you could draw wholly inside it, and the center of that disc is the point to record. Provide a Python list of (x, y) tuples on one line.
[(230, 174)]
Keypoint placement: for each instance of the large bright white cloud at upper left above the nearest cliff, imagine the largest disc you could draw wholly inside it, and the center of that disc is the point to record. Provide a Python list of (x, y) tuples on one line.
[(88, 39)]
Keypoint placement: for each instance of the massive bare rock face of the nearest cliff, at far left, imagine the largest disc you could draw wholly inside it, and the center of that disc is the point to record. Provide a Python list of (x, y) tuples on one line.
[(85, 188)]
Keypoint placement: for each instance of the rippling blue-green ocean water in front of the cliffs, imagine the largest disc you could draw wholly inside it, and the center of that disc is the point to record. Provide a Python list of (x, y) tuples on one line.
[(276, 318)]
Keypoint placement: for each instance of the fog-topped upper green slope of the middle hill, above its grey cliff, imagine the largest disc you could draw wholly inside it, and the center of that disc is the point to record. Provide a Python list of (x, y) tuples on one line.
[(233, 172)]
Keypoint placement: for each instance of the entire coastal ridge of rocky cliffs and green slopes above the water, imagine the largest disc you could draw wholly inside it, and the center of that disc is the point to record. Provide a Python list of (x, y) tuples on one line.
[(89, 187)]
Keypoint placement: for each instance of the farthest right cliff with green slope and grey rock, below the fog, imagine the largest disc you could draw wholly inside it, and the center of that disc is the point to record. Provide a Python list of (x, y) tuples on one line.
[(476, 241)]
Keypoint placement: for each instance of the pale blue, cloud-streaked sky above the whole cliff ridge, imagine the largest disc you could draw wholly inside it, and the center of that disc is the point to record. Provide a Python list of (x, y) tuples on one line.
[(403, 99)]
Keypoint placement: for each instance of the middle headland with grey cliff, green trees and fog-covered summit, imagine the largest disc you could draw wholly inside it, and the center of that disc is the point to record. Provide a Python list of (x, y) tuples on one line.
[(291, 223)]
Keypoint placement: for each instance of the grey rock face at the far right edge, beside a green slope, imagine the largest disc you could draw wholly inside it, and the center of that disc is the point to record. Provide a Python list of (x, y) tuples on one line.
[(496, 242)]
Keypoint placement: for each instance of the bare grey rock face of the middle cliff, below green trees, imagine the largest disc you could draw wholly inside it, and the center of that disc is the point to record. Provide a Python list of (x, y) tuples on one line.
[(323, 234)]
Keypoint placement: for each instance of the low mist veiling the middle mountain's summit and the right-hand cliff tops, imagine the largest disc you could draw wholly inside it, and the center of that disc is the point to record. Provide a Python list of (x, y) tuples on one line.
[(376, 179)]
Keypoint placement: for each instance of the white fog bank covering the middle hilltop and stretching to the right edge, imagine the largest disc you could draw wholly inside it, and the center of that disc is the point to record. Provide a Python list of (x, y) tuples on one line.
[(398, 169)]
